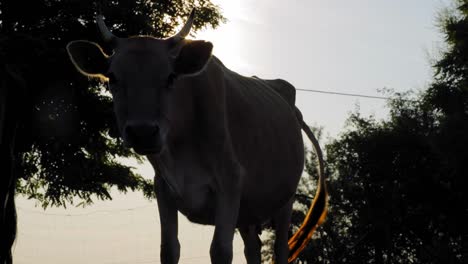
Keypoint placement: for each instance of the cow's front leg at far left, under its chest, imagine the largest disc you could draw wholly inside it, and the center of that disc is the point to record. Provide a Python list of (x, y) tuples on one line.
[(170, 247)]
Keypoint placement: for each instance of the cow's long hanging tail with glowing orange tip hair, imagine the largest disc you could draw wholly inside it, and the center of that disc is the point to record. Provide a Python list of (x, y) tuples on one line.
[(318, 209)]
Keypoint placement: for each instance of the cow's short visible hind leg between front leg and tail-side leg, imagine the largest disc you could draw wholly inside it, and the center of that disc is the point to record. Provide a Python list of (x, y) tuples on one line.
[(252, 244)]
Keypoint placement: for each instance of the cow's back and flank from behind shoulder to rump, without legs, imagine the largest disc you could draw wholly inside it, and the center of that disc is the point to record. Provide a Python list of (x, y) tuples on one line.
[(267, 140)]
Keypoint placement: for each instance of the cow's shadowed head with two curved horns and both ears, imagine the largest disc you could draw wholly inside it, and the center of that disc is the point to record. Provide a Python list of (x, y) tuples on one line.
[(140, 74)]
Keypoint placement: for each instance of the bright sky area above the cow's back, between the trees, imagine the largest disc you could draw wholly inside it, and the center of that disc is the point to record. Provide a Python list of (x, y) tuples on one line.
[(356, 46)]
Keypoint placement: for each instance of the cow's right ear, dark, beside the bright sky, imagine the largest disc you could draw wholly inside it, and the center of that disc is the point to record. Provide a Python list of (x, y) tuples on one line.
[(193, 57)]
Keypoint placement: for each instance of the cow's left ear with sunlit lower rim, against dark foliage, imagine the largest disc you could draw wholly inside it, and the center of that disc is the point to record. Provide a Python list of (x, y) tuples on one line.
[(88, 58)]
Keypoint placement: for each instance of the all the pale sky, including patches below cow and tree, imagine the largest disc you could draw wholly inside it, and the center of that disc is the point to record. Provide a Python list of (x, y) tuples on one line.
[(355, 46)]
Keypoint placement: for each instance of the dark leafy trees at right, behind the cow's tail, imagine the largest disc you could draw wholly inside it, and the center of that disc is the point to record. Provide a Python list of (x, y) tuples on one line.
[(398, 186)]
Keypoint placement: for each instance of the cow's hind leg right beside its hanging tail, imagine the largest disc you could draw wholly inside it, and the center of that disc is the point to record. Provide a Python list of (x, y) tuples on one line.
[(281, 223)]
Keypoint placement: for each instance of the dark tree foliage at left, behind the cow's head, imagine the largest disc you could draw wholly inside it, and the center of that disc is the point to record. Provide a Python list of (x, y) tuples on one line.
[(67, 142)]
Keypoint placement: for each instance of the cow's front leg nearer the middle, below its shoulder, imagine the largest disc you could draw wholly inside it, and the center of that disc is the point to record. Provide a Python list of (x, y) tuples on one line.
[(227, 210)]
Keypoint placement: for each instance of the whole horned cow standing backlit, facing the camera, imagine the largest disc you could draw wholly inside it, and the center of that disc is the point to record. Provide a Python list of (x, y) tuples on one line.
[(227, 150)]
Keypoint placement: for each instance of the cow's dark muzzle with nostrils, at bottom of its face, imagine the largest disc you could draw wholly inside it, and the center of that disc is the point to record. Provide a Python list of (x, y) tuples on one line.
[(143, 136)]
